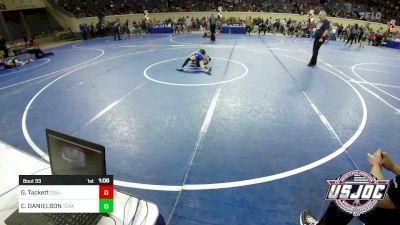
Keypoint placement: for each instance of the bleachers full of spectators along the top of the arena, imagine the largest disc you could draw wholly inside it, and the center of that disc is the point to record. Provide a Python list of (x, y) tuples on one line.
[(344, 9)]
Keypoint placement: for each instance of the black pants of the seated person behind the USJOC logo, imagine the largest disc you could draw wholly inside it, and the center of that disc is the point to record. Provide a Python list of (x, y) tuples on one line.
[(377, 216)]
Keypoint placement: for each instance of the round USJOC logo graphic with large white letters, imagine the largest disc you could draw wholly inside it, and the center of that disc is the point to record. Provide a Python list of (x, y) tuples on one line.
[(356, 192)]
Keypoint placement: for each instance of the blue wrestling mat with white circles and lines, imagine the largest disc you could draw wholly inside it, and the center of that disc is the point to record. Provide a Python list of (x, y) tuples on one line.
[(252, 144)]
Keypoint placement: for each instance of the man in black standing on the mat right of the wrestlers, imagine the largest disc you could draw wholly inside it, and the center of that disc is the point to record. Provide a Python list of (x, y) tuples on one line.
[(320, 34)]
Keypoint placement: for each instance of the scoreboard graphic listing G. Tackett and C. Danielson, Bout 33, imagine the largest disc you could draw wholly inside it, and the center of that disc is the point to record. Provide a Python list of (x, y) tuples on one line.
[(66, 194)]
